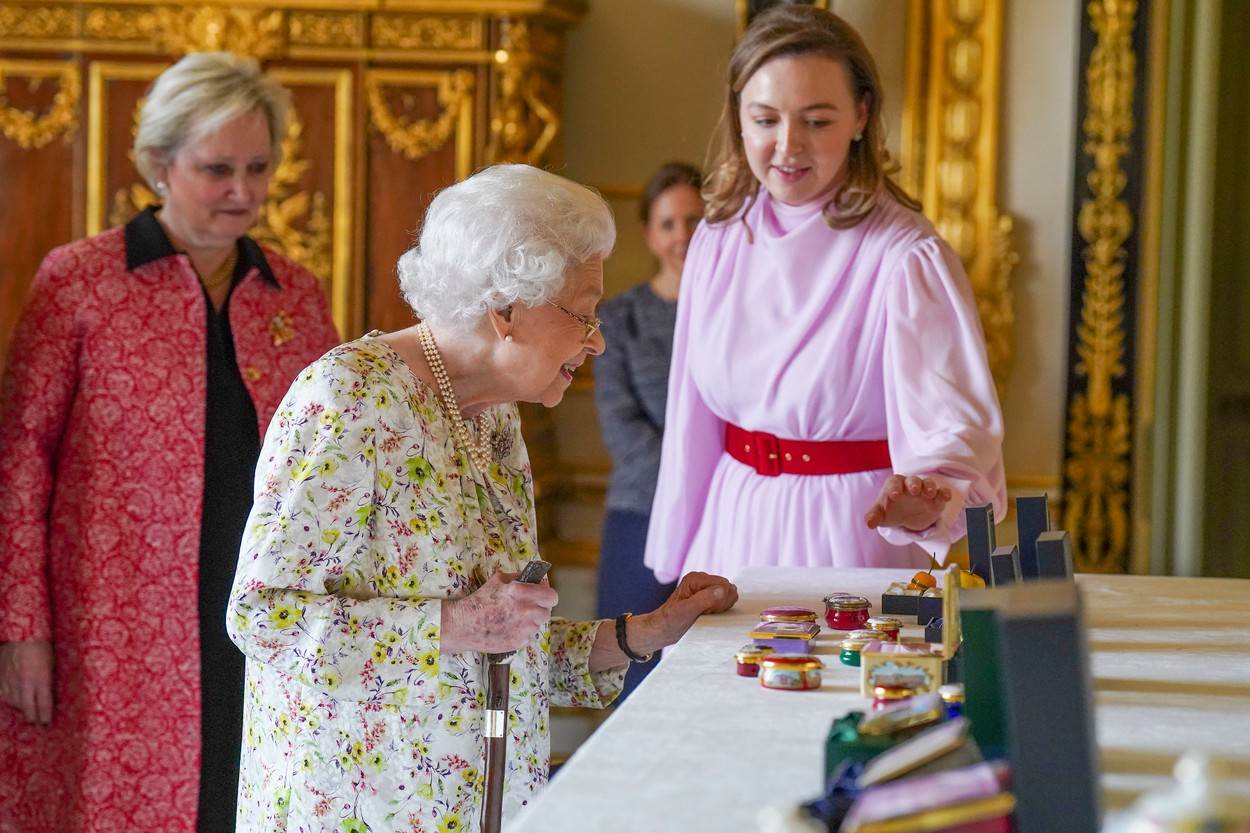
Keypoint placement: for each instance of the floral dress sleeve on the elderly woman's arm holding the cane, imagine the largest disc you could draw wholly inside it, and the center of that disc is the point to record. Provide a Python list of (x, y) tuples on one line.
[(302, 600)]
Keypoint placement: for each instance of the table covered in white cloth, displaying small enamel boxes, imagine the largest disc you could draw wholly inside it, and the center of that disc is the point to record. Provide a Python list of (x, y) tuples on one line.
[(698, 749)]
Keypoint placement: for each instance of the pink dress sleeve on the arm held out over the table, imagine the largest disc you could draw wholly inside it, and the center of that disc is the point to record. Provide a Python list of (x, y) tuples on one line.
[(942, 408)]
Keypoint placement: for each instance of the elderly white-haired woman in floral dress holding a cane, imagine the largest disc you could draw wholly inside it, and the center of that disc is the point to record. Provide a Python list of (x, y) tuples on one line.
[(394, 508)]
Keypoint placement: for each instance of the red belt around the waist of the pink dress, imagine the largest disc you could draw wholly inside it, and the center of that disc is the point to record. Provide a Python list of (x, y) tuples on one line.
[(772, 456)]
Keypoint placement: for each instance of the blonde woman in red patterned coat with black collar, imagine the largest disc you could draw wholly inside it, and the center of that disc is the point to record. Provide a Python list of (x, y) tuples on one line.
[(144, 371)]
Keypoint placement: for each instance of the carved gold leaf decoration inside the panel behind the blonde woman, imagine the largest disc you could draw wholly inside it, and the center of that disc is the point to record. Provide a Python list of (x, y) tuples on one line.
[(292, 221)]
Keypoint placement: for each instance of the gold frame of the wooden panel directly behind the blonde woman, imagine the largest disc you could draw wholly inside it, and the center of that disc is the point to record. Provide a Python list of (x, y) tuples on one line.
[(344, 305)]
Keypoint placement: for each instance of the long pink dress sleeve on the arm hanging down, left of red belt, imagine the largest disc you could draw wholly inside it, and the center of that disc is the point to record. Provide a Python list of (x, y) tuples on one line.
[(694, 437)]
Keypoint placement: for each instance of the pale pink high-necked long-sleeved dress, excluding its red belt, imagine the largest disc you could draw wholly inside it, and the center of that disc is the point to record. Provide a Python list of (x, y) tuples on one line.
[(789, 327)]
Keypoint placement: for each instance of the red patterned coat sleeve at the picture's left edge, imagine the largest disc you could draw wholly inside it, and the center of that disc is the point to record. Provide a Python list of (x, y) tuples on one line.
[(36, 401)]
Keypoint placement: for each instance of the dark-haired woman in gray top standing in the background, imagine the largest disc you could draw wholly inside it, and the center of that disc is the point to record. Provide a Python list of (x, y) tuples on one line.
[(632, 383)]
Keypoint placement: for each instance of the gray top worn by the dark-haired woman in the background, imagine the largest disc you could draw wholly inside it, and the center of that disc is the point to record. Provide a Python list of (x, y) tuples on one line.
[(632, 388)]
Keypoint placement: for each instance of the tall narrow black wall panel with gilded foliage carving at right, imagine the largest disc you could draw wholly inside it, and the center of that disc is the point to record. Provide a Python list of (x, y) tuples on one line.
[(1098, 462)]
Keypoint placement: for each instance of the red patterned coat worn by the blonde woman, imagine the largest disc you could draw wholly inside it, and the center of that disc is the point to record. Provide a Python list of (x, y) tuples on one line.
[(102, 448)]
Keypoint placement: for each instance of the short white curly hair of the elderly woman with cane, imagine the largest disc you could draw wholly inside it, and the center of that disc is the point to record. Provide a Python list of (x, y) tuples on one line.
[(508, 235)]
